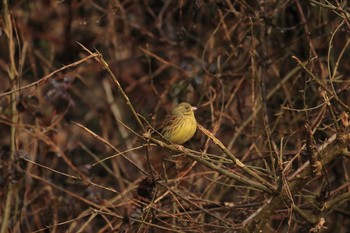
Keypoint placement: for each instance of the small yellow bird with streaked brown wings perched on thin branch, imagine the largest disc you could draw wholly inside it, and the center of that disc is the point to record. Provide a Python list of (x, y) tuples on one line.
[(179, 126)]
